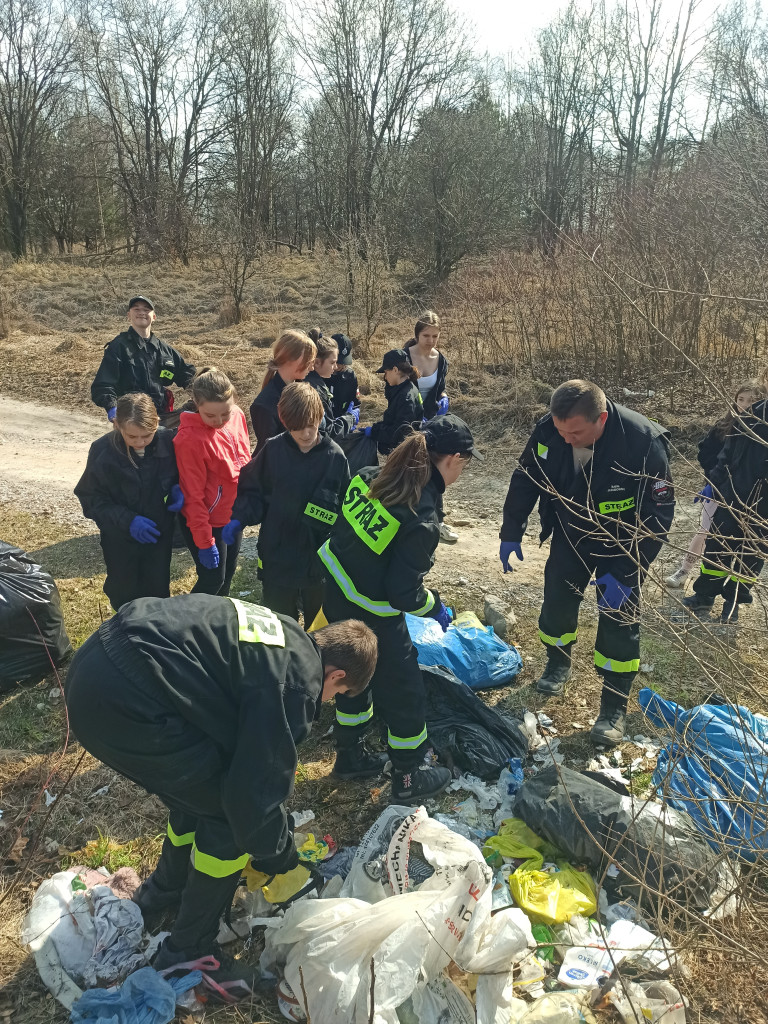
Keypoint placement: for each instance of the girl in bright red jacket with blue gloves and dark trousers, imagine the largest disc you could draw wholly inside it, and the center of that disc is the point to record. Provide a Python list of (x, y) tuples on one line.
[(212, 446)]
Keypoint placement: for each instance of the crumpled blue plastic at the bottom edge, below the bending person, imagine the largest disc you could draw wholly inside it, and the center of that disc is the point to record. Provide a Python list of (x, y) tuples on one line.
[(144, 998)]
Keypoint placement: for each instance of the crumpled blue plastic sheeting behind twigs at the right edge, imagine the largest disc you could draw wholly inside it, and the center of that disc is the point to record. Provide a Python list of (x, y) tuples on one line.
[(716, 772)]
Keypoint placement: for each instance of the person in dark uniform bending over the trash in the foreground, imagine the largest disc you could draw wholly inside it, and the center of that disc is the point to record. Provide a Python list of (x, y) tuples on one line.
[(203, 701)]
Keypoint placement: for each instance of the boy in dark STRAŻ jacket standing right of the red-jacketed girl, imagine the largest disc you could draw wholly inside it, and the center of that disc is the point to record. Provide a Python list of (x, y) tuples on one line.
[(294, 489)]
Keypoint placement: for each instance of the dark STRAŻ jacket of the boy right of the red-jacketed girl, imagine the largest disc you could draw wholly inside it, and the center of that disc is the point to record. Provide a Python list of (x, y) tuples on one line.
[(295, 496)]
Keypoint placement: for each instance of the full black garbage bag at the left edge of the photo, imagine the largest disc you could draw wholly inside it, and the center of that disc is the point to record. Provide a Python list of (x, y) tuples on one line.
[(32, 630)]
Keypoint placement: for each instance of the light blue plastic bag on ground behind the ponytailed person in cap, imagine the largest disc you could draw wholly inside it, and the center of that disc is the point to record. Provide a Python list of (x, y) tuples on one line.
[(477, 657)]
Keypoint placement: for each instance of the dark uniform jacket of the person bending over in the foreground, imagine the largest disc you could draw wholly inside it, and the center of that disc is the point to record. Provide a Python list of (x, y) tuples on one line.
[(238, 685)]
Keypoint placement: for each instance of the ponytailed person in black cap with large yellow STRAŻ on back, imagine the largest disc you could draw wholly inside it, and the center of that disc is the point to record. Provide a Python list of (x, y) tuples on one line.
[(380, 549)]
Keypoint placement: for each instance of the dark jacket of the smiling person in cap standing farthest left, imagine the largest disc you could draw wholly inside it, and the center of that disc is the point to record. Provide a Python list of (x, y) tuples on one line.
[(132, 363)]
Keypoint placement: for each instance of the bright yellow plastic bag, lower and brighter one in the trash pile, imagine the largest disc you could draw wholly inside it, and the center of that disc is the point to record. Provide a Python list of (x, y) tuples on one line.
[(551, 900)]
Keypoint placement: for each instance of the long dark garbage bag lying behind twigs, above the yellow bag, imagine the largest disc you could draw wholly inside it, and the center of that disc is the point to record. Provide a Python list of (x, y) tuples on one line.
[(657, 849)]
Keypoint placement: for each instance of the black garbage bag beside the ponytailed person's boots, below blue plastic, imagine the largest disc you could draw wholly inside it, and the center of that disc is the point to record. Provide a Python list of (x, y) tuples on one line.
[(465, 731)]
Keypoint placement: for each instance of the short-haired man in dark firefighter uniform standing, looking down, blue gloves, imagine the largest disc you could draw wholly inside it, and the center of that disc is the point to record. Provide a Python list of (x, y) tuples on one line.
[(601, 474)]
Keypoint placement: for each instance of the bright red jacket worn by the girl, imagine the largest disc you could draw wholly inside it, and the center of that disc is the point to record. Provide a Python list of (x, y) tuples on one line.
[(209, 464)]
